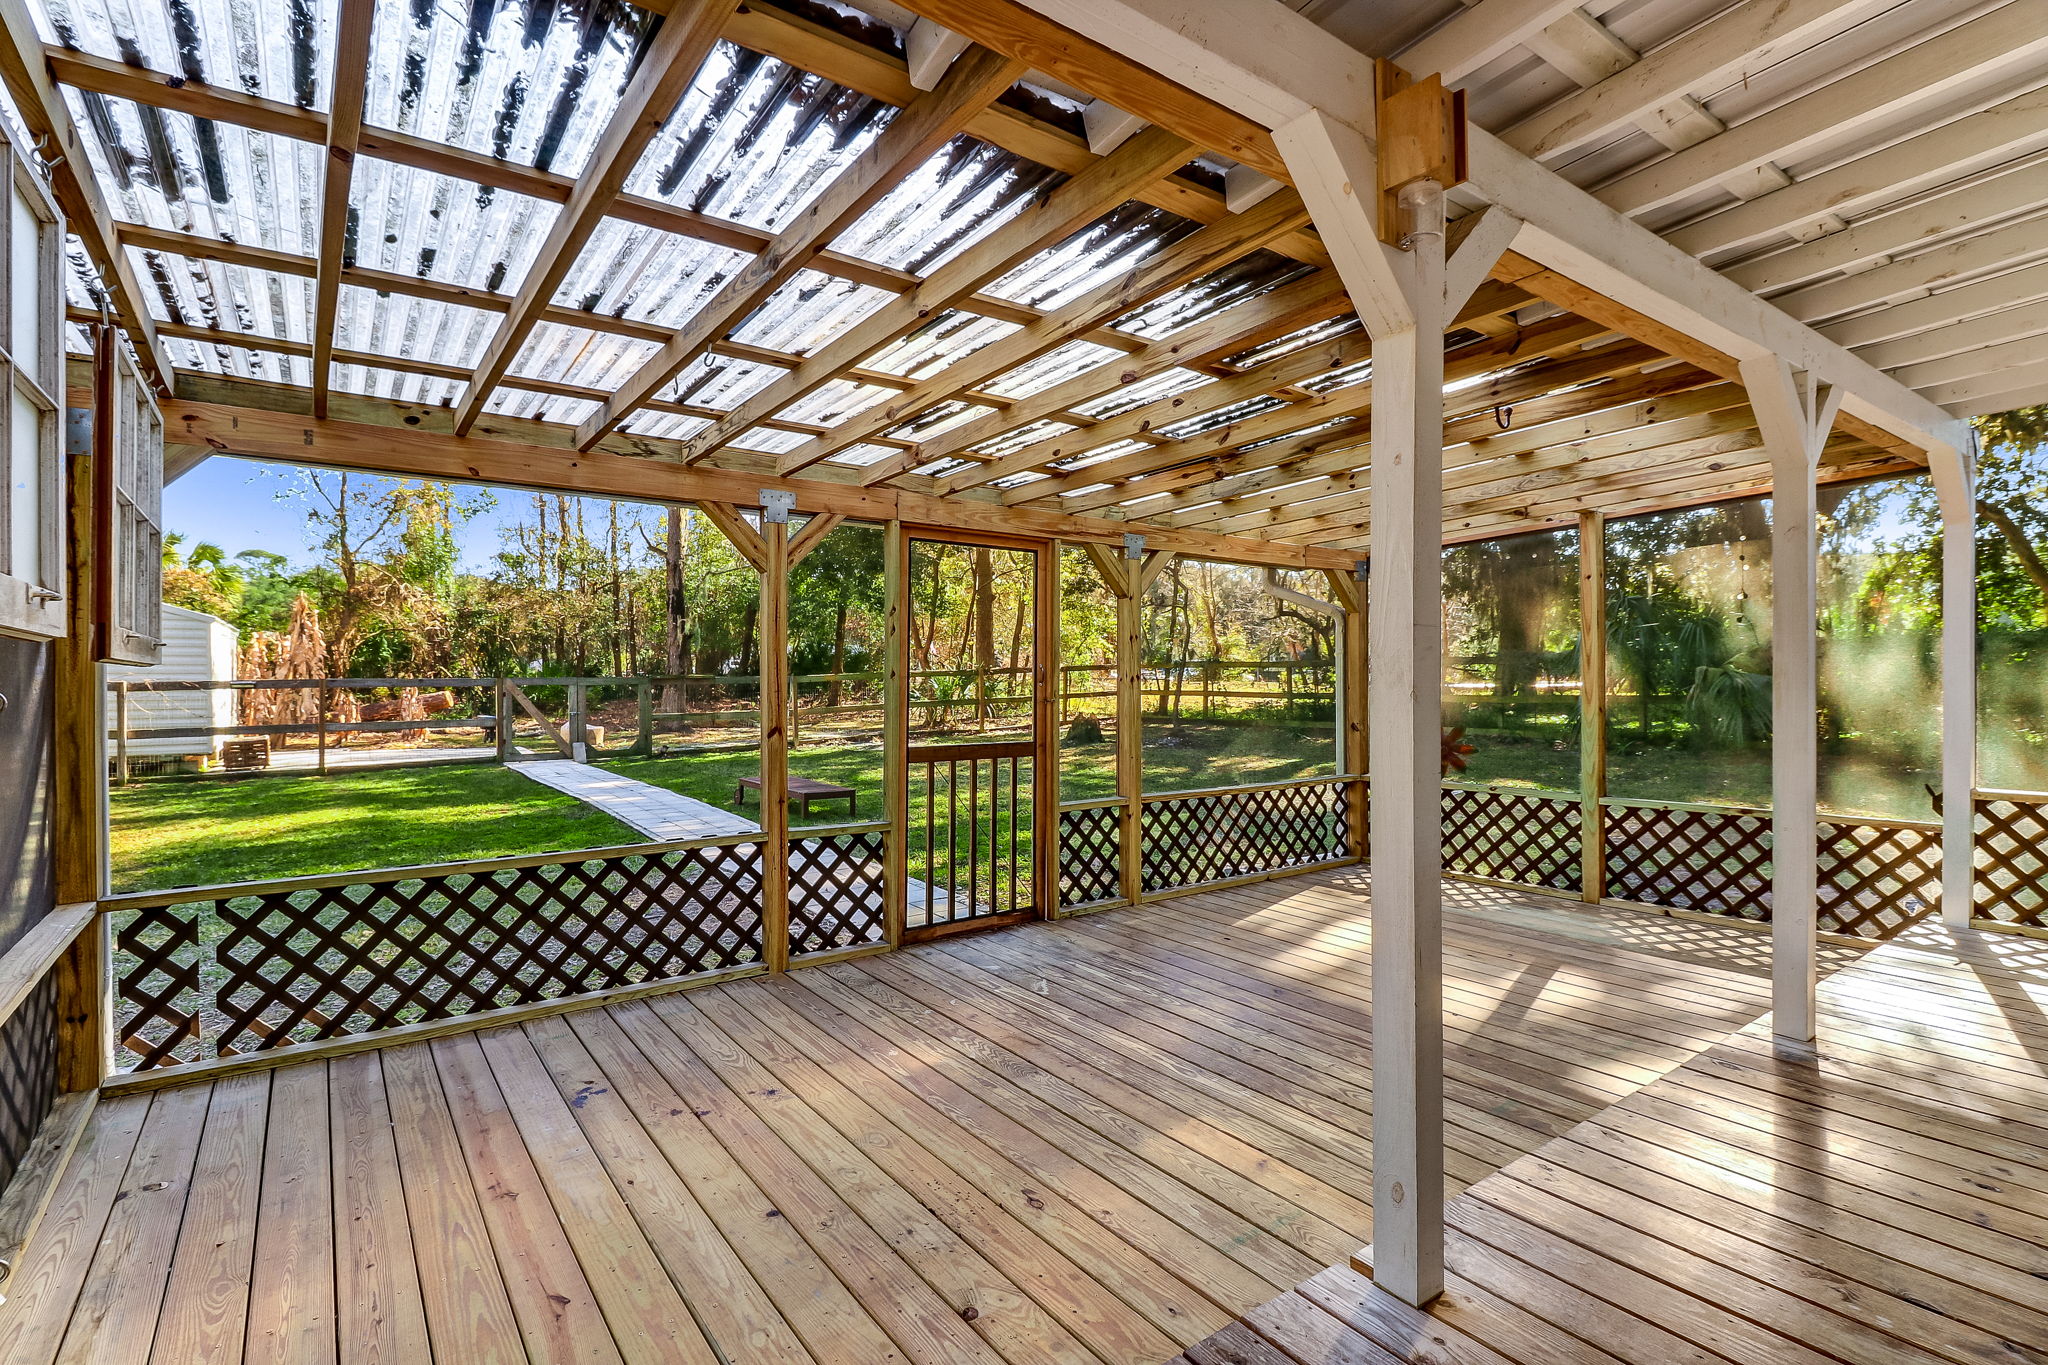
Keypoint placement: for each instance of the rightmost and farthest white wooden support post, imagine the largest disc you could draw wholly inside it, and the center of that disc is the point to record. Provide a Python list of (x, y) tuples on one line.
[(1959, 691)]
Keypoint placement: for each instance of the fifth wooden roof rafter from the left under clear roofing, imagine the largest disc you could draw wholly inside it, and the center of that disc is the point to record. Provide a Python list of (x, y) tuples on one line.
[(1068, 210)]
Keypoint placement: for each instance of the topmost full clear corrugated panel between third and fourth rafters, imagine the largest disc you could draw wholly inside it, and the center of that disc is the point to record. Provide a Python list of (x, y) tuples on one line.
[(757, 140)]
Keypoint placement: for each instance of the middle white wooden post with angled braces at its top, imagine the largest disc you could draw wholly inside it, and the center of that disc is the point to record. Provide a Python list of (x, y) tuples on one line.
[(1795, 416)]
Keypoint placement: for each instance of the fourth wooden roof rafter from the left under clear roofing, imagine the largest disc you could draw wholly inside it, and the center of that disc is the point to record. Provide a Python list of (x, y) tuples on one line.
[(914, 136)]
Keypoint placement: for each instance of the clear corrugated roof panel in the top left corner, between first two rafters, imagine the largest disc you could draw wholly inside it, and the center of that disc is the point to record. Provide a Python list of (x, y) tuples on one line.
[(282, 50)]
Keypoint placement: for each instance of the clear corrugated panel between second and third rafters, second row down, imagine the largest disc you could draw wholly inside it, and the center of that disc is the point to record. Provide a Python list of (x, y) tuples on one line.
[(437, 228)]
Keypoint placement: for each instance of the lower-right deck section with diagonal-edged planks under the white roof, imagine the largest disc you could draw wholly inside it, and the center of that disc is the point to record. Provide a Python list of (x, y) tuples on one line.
[(1881, 1202)]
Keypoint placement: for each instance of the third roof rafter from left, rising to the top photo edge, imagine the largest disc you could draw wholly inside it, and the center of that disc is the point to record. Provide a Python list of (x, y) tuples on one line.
[(665, 77)]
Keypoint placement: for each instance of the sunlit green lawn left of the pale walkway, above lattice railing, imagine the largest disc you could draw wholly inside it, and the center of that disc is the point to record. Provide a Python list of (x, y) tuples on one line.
[(206, 832)]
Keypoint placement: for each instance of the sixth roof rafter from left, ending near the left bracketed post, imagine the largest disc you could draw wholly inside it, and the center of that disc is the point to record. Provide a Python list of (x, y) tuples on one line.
[(1158, 275)]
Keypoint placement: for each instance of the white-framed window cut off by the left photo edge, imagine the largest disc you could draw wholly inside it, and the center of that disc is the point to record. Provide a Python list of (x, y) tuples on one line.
[(32, 529)]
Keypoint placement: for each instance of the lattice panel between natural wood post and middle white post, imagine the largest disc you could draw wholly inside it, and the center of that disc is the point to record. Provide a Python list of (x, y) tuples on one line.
[(1691, 861)]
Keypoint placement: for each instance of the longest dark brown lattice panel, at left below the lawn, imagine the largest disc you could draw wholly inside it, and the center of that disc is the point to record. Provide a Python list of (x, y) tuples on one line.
[(245, 969)]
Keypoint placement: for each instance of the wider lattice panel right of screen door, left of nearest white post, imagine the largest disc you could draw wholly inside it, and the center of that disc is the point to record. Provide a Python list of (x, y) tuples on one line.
[(1195, 838)]
